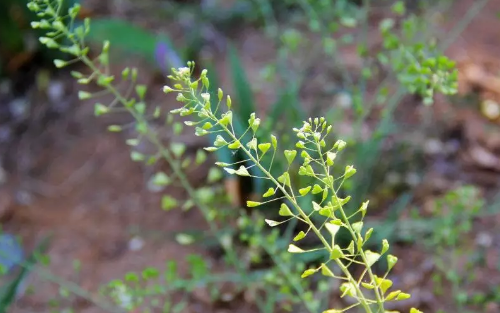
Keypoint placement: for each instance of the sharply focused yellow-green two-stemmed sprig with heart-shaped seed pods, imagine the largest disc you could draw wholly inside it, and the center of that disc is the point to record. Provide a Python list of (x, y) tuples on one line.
[(311, 140)]
